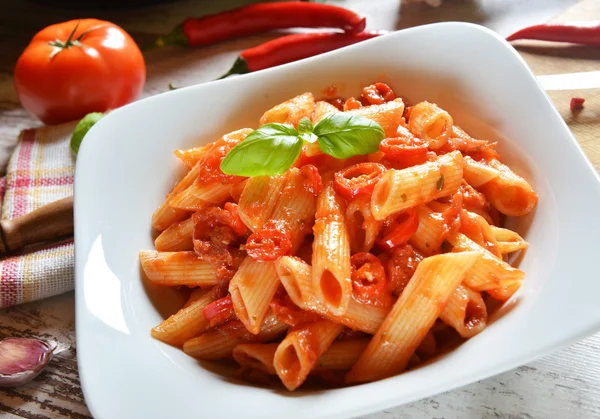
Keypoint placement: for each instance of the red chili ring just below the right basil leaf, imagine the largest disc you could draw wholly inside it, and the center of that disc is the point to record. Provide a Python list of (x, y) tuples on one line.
[(359, 179)]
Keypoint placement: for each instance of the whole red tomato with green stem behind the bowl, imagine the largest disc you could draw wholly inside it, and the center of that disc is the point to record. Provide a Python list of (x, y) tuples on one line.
[(73, 68)]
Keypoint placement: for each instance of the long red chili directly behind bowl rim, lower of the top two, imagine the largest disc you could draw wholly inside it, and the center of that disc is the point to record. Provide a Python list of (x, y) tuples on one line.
[(294, 47)]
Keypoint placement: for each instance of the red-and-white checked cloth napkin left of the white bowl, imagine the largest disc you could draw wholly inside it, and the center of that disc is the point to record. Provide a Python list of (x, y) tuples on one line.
[(41, 170)]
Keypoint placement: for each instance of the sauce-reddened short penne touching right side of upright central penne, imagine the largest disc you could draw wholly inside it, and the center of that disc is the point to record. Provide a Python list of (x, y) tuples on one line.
[(362, 227)]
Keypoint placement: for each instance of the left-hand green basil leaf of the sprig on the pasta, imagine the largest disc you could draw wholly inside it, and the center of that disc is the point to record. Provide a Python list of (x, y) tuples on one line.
[(267, 151)]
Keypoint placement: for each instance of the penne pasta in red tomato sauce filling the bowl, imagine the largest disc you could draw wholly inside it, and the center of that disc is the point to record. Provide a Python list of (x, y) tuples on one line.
[(350, 270)]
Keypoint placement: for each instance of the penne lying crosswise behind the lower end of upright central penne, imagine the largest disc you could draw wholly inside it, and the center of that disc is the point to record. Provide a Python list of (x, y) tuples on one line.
[(296, 277)]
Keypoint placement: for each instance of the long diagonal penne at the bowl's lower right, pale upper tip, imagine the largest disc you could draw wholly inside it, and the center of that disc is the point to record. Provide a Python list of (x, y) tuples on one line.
[(413, 314)]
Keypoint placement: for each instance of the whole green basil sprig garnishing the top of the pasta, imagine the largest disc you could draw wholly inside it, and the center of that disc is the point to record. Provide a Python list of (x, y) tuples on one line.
[(273, 148)]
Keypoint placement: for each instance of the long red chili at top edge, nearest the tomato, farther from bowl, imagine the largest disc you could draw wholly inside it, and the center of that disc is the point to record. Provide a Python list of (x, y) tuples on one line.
[(261, 17)]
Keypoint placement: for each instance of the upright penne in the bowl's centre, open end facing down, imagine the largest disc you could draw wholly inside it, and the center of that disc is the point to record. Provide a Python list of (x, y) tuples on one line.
[(331, 252)]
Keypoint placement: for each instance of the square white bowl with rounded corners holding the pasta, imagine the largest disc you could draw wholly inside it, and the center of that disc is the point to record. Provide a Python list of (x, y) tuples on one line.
[(126, 166)]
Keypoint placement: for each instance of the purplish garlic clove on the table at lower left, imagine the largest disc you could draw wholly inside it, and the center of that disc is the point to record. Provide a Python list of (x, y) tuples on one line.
[(22, 359)]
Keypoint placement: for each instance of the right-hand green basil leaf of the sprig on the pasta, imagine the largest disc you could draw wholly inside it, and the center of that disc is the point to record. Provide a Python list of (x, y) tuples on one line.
[(344, 135)]
